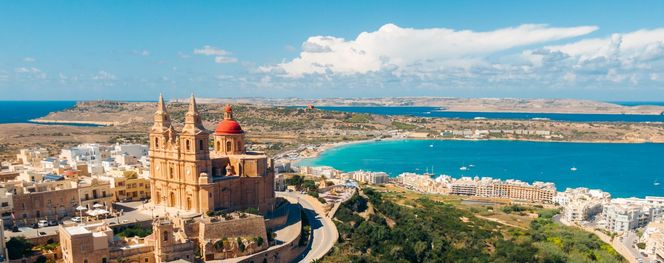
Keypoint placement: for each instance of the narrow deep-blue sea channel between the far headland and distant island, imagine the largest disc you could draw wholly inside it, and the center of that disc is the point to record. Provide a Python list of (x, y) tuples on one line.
[(435, 112)]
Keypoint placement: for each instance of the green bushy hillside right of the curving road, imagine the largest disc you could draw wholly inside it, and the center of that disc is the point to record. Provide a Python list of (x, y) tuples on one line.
[(432, 231)]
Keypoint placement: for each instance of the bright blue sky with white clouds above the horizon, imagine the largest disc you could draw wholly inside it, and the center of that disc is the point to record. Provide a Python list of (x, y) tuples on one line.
[(132, 50)]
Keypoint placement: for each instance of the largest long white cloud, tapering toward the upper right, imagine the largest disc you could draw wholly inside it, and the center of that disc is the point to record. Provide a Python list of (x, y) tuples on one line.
[(399, 49)]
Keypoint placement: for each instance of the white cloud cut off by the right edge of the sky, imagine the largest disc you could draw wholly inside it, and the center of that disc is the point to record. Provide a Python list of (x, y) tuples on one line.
[(628, 58)]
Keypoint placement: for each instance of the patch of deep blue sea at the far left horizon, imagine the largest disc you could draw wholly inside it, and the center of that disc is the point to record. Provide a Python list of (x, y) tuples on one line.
[(24, 111)]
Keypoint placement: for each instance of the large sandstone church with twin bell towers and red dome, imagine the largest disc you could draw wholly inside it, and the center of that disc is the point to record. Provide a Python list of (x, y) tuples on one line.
[(192, 173)]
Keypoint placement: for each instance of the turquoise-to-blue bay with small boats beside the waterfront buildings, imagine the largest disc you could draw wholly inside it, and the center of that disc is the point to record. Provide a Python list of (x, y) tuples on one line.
[(624, 170)]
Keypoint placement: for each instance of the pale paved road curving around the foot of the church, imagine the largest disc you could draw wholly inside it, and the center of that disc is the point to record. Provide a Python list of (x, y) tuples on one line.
[(325, 233)]
